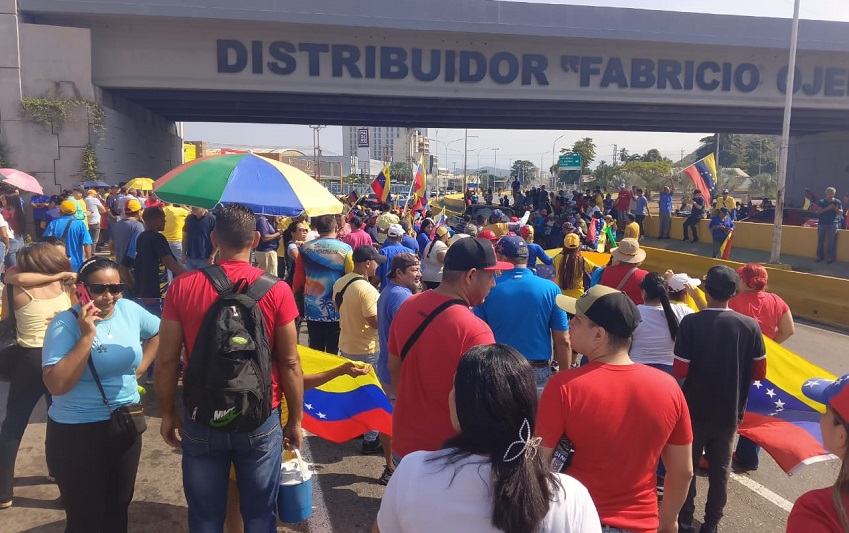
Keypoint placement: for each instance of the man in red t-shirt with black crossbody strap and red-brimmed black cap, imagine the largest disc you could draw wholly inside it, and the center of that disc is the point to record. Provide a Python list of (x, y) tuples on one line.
[(422, 366)]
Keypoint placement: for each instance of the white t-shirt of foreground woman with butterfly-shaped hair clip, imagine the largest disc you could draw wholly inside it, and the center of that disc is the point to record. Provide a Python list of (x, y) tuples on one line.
[(422, 497)]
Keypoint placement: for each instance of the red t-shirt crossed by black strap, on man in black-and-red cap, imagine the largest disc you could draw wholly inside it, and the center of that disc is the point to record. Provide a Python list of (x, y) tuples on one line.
[(421, 420)]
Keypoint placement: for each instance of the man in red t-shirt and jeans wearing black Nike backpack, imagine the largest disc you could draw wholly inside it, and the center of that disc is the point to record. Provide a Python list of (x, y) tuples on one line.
[(238, 371)]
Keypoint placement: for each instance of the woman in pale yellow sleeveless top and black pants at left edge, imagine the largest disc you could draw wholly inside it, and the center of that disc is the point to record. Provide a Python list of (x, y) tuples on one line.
[(38, 291)]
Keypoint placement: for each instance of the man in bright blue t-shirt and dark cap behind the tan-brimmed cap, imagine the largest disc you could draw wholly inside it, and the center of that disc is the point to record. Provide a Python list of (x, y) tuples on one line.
[(522, 312)]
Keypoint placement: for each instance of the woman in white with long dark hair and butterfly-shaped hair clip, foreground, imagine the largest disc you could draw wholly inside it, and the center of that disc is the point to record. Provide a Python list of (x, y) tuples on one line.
[(489, 477)]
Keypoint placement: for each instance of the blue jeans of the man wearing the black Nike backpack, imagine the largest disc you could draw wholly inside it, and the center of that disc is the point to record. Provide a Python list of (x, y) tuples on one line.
[(256, 456)]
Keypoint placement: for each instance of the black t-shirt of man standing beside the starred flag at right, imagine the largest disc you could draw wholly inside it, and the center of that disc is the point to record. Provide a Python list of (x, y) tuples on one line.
[(721, 346)]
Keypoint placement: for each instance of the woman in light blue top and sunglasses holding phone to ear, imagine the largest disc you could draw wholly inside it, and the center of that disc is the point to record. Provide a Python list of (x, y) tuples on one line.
[(96, 473)]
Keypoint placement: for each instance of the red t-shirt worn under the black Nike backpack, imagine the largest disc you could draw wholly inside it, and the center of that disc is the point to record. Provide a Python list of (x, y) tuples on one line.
[(191, 294)]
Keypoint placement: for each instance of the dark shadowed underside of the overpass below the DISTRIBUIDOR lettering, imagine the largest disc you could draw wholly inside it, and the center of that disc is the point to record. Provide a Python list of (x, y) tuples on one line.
[(365, 110)]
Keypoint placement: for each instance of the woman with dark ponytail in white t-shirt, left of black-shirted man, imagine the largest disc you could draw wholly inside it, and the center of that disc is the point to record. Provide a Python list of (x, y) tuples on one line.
[(654, 338)]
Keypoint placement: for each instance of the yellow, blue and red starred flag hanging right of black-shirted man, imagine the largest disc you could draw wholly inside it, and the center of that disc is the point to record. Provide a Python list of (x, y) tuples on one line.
[(779, 417)]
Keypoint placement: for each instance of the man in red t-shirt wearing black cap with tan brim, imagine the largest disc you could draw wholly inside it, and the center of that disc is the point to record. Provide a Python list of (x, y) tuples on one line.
[(617, 437)]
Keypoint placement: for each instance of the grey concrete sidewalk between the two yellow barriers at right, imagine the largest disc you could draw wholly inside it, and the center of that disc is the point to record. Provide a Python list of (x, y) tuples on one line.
[(743, 255)]
